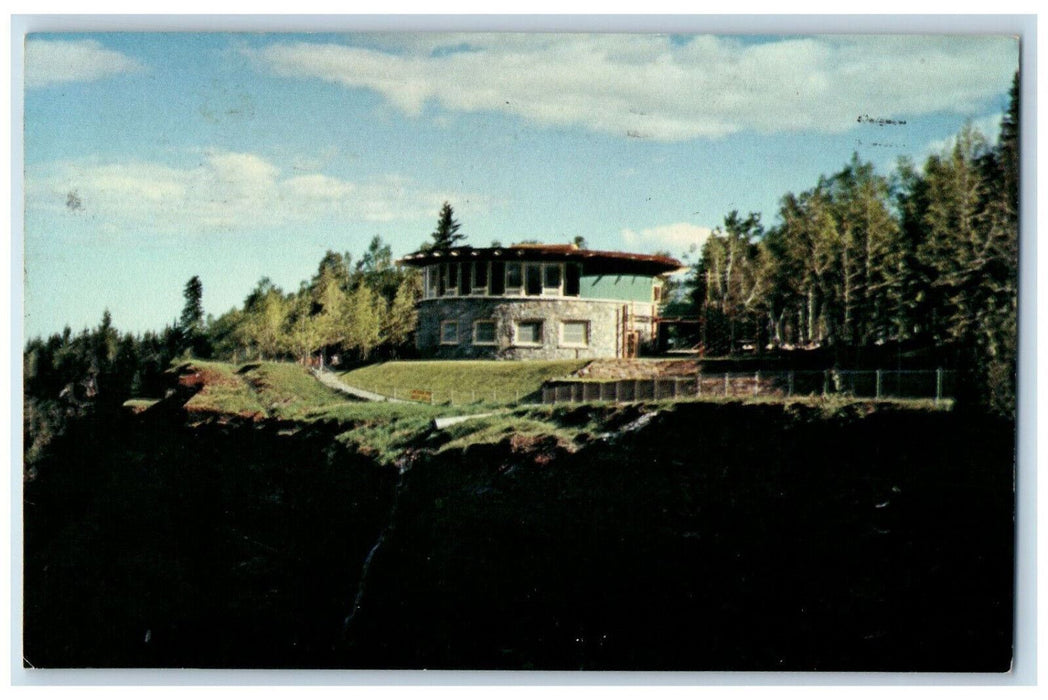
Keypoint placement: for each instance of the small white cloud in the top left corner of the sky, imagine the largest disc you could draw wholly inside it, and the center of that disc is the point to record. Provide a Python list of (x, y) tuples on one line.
[(49, 62)]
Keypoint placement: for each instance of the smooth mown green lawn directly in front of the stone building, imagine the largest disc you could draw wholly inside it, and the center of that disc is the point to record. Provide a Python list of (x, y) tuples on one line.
[(462, 381)]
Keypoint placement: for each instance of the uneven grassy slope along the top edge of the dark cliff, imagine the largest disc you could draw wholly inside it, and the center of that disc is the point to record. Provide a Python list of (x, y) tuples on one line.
[(386, 432)]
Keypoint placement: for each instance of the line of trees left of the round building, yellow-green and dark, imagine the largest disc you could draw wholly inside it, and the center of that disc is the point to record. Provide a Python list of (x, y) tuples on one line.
[(351, 312)]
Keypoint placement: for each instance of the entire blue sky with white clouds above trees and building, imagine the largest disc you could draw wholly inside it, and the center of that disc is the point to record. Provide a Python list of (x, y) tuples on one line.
[(155, 158)]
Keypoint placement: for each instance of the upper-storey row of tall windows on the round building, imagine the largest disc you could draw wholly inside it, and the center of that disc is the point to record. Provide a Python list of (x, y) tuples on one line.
[(503, 278)]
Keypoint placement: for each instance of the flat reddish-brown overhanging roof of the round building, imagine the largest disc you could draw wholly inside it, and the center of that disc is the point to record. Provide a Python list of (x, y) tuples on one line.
[(606, 262)]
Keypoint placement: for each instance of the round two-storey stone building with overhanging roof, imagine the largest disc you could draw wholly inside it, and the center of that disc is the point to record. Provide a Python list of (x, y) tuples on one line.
[(538, 302)]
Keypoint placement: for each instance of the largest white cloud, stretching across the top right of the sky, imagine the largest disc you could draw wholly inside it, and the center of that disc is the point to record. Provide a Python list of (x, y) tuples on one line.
[(651, 86)]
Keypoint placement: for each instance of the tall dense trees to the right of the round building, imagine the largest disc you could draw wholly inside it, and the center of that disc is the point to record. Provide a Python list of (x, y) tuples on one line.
[(926, 258)]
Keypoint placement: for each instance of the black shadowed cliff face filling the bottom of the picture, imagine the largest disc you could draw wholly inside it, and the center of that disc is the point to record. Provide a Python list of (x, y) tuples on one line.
[(710, 538)]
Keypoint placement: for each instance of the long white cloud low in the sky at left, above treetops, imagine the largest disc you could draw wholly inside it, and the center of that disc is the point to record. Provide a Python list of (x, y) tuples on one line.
[(226, 191)]
